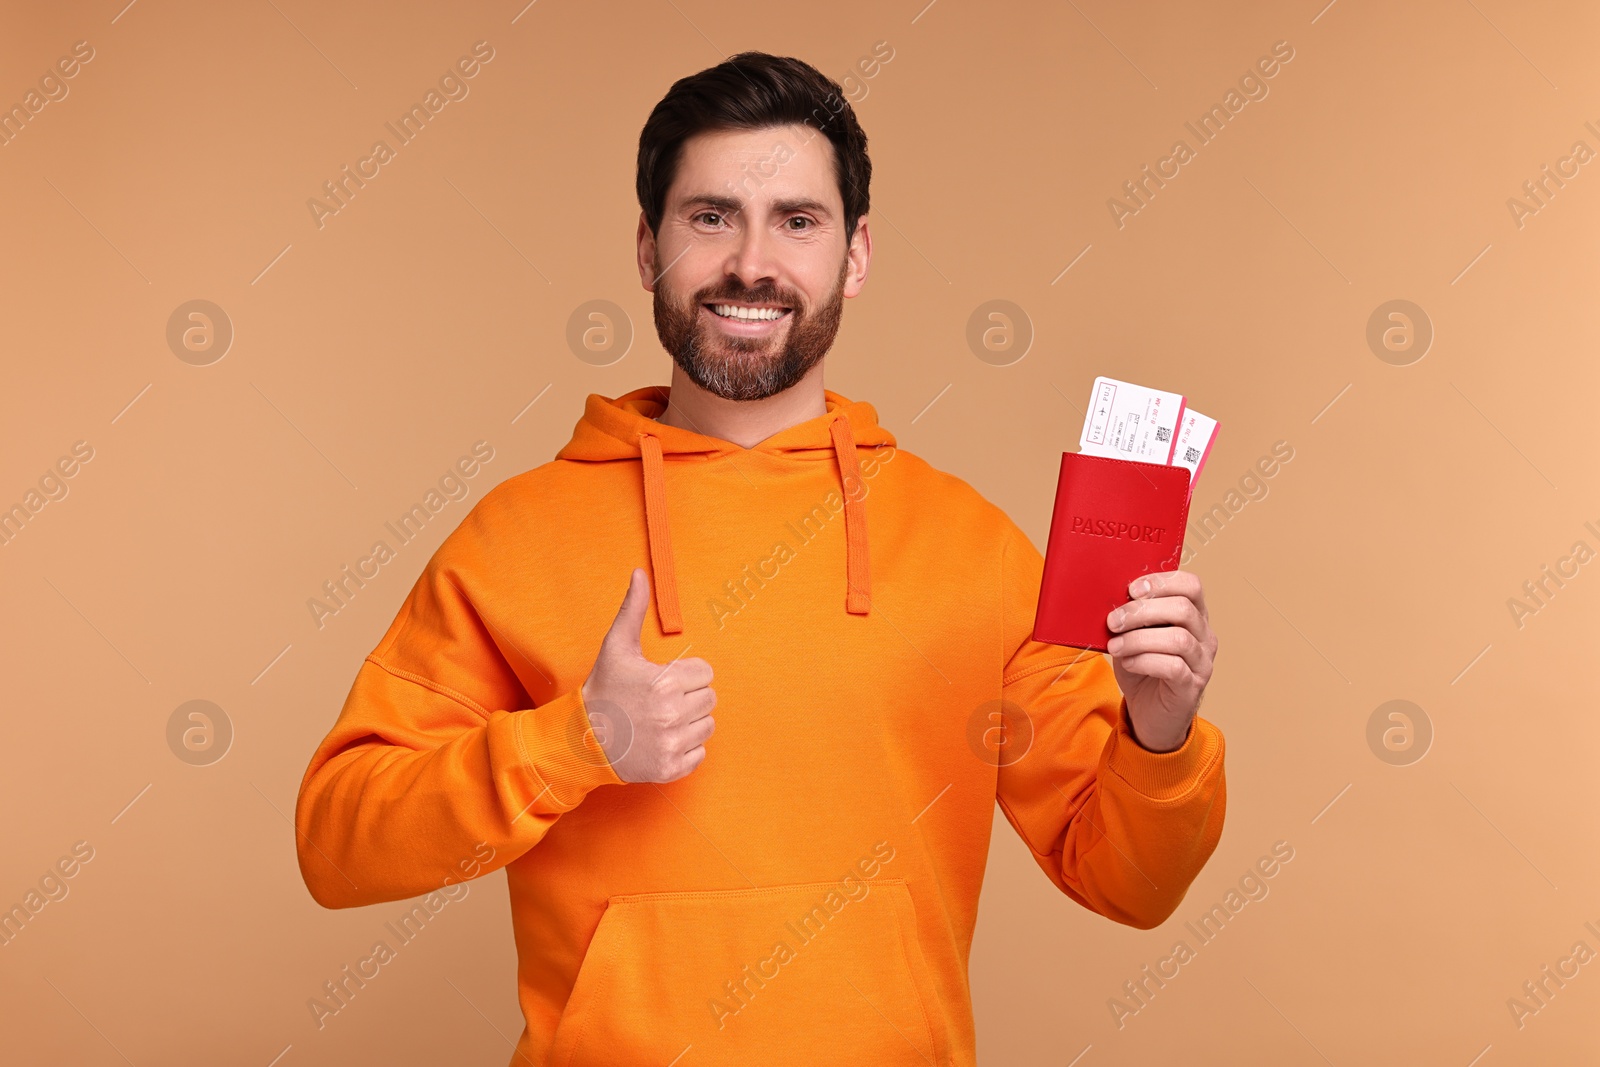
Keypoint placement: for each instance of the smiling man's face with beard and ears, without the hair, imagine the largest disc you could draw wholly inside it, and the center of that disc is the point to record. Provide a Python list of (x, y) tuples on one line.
[(751, 266)]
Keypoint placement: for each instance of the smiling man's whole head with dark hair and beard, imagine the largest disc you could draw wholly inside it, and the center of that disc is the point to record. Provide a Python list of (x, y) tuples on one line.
[(753, 186)]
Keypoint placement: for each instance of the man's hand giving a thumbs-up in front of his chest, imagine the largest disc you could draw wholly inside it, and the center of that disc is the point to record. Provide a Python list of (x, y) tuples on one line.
[(650, 719)]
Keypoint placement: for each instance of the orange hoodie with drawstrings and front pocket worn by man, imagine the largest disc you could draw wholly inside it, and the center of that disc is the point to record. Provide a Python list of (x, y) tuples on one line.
[(809, 893)]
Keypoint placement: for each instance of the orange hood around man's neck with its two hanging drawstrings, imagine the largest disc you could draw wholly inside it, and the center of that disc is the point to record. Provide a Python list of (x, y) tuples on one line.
[(625, 428)]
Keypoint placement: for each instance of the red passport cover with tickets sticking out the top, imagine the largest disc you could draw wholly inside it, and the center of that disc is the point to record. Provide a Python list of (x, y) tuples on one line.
[(1114, 521)]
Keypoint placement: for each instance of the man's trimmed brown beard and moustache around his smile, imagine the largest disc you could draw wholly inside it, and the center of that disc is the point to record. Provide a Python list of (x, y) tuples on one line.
[(748, 369)]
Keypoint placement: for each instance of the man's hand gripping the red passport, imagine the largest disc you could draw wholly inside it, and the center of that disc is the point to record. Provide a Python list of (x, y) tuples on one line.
[(1162, 653)]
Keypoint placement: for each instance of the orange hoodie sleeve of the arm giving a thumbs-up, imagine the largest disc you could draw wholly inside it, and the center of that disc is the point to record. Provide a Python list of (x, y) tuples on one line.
[(439, 754)]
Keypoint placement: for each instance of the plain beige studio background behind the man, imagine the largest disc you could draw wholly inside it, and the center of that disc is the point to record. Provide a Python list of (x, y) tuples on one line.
[(433, 311)]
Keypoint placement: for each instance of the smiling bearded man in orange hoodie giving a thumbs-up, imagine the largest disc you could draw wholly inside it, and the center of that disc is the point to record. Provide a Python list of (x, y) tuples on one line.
[(794, 882)]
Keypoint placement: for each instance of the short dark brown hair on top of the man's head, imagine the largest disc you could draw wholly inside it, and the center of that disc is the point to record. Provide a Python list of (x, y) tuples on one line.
[(753, 90)]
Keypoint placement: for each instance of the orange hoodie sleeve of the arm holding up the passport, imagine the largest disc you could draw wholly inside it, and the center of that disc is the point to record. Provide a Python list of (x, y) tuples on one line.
[(1118, 828)]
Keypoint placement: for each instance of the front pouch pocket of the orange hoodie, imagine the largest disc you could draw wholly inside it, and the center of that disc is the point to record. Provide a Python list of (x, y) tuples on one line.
[(786, 975)]
